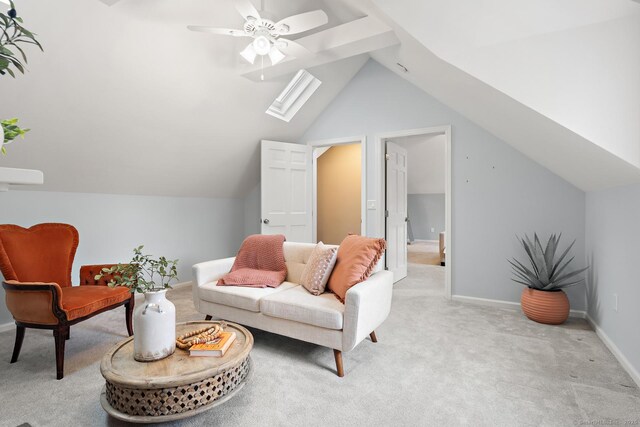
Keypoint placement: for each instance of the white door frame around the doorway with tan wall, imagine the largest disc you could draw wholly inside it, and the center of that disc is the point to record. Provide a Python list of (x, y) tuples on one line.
[(328, 143)]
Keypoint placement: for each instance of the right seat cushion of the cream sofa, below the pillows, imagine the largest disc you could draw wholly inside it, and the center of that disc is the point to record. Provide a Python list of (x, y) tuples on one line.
[(298, 305)]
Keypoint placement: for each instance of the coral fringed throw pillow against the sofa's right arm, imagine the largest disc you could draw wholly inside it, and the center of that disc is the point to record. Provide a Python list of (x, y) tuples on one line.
[(357, 257)]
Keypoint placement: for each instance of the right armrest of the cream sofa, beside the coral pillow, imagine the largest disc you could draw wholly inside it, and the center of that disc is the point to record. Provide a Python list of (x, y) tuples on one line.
[(367, 305)]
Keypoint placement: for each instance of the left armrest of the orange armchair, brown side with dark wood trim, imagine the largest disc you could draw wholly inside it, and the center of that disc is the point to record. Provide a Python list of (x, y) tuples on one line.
[(34, 303)]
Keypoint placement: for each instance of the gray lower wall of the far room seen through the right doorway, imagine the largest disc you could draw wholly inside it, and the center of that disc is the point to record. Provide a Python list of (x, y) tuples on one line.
[(426, 211)]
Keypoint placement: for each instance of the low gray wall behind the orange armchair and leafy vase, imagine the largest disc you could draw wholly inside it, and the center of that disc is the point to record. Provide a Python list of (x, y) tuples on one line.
[(110, 226)]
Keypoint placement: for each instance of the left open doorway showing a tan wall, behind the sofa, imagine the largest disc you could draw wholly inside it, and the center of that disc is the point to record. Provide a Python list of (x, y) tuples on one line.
[(338, 189)]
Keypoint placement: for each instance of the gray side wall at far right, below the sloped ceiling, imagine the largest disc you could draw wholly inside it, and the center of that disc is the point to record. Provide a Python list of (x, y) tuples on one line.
[(612, 230)]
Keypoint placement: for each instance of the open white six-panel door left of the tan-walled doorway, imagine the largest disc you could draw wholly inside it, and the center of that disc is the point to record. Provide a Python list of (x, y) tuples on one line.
[(286, 190)]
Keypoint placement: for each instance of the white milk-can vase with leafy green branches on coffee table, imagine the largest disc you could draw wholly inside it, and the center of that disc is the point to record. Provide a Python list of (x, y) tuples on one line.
[(154, 322)]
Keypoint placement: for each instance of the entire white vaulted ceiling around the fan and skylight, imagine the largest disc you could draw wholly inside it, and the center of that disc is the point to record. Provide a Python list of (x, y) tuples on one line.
[(126, 100)]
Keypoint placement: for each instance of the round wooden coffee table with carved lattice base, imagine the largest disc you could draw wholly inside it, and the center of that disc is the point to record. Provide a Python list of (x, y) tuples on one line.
[(176, 387)]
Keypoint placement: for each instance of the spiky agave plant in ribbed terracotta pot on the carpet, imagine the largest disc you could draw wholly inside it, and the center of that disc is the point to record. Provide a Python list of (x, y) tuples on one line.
[(543, 300)]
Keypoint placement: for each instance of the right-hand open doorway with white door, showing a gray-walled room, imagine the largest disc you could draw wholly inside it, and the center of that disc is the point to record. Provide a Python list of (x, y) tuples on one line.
[(416, 192)]
